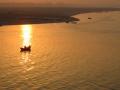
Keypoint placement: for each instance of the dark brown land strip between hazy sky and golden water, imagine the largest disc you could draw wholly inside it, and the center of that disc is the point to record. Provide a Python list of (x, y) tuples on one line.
[(37, 15)]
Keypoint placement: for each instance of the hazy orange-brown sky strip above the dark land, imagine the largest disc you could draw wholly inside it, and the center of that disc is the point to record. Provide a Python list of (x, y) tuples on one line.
[(78, 3)]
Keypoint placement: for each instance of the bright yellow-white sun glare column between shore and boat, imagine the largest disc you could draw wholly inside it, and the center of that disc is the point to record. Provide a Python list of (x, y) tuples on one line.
[(26, 34)]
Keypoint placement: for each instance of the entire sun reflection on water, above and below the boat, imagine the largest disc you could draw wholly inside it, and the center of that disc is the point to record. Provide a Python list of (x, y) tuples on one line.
[(26, 62)]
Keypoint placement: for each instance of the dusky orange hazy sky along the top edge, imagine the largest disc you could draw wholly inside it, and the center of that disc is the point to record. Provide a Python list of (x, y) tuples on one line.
[(86, 3)]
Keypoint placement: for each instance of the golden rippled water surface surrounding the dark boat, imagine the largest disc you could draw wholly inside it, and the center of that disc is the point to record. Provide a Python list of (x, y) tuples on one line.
[(83, 56)]
